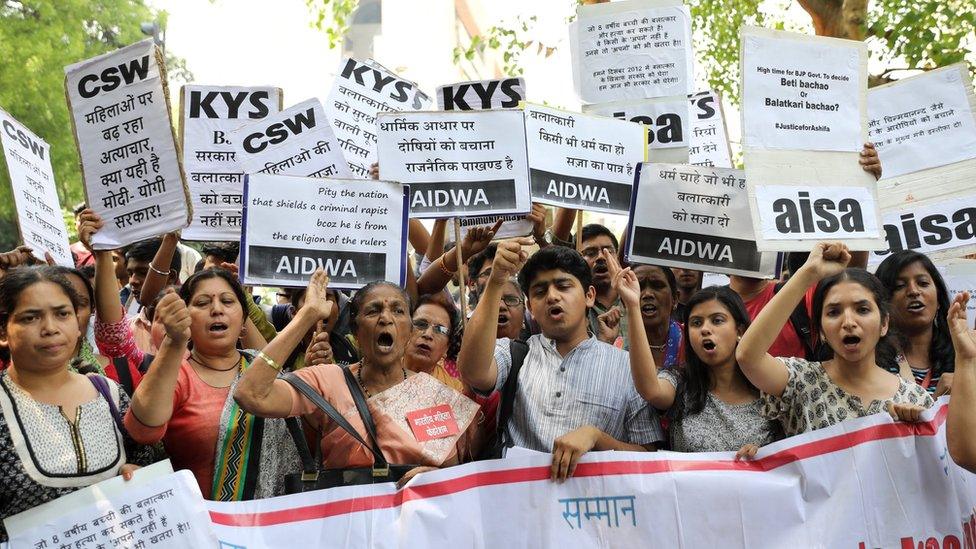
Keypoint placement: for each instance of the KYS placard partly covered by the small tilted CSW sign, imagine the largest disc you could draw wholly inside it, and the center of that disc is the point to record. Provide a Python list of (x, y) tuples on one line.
[(210, 114)]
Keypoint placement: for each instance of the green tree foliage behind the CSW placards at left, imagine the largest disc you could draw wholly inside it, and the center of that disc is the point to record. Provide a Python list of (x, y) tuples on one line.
[(38, 38)]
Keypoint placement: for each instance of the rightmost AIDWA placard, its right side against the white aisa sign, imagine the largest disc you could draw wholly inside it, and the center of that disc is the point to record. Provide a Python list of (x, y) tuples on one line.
[(695, 218)]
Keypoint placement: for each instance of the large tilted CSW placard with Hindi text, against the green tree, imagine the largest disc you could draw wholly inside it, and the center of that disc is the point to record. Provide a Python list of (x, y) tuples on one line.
[(132, 172)]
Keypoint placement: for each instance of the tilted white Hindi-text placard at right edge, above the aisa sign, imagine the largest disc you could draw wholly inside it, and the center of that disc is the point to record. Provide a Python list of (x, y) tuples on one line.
[(924, 121)]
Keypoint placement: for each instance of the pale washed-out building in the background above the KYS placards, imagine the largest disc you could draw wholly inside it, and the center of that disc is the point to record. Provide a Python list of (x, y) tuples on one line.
[(424, 51)]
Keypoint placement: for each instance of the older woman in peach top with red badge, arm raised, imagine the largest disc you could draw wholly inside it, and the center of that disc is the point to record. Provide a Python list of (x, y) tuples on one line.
[(380, 319)]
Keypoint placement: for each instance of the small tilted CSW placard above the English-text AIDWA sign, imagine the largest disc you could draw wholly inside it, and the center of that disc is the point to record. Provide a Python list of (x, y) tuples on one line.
[(297, 141)]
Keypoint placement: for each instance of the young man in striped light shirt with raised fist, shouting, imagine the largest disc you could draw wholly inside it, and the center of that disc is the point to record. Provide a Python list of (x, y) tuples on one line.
[(575, 393)]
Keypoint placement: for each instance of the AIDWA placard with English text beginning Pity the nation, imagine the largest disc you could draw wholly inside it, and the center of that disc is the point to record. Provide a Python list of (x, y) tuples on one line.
[(354, 230)]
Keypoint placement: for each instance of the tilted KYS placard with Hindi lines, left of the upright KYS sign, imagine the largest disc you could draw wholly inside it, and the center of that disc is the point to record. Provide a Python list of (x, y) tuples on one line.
[(361, 90)]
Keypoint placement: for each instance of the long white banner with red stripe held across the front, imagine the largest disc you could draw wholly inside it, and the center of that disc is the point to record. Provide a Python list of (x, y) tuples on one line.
[(867, 482)]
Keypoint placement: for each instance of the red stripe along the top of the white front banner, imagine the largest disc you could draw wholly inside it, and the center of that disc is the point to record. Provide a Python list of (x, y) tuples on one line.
[(529, 474)]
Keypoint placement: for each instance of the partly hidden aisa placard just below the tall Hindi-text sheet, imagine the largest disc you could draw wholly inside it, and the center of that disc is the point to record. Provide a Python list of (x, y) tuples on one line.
[(667, 119)]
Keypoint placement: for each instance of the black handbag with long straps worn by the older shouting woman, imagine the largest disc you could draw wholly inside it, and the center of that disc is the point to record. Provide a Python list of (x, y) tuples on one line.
[(313, 476)]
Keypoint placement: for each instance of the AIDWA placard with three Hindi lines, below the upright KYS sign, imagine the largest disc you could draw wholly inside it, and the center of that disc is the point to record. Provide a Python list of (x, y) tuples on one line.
[(457, 163)]
